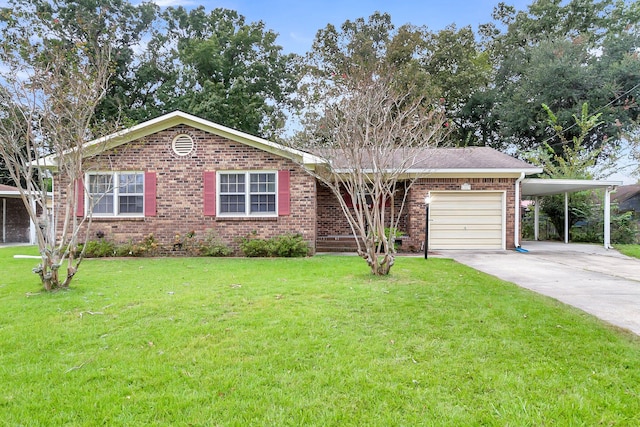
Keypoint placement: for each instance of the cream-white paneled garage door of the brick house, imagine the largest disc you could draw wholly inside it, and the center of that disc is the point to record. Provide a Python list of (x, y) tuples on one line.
[(467, 220)]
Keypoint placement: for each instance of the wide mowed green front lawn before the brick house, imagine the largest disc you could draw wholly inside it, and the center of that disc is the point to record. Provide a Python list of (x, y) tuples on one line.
[(314, 342)]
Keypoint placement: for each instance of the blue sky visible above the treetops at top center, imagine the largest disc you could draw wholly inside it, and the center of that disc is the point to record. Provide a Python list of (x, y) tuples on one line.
[(297, 22)]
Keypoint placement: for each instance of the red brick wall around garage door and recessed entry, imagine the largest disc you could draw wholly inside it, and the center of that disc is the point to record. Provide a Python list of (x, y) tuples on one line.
[(332, 222)]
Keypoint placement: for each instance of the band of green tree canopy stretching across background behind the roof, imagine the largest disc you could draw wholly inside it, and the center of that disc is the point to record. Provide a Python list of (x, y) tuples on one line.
[(492, 82)]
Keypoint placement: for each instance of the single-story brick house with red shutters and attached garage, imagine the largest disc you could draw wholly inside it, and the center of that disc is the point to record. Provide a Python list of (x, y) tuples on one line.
[(178, 174)]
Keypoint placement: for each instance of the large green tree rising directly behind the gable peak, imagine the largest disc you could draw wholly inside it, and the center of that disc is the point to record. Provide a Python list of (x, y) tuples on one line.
[(217, 66)]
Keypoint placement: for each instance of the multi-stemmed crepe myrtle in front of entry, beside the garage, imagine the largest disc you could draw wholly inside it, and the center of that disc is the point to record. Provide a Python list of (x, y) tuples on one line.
[(371, 133)]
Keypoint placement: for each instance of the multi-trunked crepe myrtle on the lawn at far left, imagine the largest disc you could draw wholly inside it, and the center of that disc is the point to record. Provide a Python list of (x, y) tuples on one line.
[(49, 89)]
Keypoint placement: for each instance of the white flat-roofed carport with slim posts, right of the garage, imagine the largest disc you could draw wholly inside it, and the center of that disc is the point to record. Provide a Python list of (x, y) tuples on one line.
[(537, 187)]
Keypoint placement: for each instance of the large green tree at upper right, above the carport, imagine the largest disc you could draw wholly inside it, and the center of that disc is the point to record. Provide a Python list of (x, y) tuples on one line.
[(563, 54)]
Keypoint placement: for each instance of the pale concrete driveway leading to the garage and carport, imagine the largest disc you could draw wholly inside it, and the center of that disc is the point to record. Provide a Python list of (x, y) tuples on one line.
[(601, 282)]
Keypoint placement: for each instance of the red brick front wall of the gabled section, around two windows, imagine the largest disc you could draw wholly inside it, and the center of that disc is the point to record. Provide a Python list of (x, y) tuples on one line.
[(179, 189)]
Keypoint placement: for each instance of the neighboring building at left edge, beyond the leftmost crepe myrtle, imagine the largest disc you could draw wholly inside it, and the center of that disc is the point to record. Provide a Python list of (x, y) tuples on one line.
[(14, 219)]
